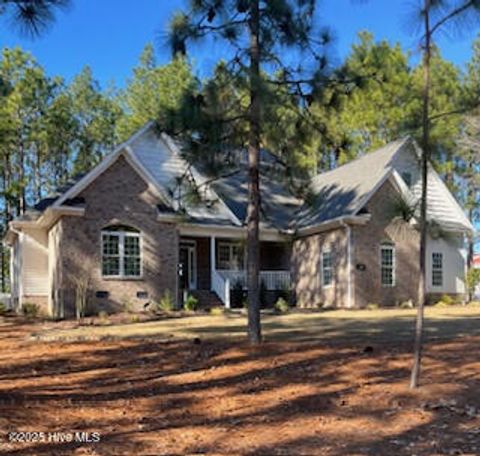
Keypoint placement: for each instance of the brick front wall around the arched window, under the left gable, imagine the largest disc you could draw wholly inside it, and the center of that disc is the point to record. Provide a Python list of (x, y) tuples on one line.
[(118, 197)]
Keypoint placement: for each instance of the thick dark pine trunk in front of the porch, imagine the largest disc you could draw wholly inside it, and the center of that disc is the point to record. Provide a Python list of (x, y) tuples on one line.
[(253, 210)]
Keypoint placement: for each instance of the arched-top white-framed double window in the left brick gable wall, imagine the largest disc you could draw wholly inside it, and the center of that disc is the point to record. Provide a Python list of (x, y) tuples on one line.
[(121, 255)]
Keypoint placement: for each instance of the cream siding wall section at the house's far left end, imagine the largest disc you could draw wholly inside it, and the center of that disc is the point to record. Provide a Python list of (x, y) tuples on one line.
[(34, 280)]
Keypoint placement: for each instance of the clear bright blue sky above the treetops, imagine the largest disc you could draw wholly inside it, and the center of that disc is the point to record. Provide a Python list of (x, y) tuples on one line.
[(110, 38)]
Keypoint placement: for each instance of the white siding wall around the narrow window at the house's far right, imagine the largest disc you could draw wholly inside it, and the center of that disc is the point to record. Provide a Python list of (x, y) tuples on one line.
[(454, 262)]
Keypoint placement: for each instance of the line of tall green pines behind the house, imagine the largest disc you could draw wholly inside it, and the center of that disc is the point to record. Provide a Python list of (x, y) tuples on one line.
[(52, 129)]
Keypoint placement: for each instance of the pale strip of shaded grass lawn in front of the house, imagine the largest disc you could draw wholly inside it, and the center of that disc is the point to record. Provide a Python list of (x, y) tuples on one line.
[(378, 324)]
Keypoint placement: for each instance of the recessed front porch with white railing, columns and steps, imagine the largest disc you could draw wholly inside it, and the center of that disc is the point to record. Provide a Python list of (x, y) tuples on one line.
[(217, 264)]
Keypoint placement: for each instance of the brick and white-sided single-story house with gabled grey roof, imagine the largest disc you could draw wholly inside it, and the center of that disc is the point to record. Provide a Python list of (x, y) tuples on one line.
[(125, 229)]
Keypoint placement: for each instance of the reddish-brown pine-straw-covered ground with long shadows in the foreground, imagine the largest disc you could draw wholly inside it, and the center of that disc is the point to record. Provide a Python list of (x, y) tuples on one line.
[(219, 396)]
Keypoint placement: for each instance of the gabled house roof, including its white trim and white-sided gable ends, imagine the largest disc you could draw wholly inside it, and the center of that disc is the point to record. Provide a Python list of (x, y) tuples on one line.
[(342, 192)]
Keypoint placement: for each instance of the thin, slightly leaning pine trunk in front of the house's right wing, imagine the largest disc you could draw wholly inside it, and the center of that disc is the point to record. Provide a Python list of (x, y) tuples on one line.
[(423, 206)]
